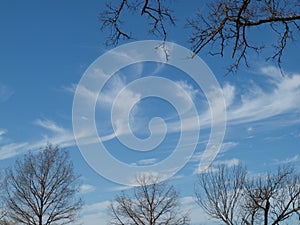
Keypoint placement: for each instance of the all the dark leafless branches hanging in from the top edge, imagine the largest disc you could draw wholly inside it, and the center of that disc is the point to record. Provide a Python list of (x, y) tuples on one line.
[(224, 24)]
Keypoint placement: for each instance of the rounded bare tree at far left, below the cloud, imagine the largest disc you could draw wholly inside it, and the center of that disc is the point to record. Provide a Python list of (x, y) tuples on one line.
[(41, 189)]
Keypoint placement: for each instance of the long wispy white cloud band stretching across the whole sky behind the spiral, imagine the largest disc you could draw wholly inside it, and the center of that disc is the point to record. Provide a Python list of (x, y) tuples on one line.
[(255, 104)]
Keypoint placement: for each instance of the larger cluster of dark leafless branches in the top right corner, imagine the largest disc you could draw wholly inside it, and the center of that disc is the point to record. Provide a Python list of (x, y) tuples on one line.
[(229, 23)]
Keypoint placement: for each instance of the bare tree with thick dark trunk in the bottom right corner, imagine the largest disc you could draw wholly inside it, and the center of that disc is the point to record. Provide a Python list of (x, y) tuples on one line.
[(272, 198)]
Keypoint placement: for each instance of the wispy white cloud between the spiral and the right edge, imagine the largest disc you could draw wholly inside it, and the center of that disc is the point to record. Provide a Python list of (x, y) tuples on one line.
[(258, 104)]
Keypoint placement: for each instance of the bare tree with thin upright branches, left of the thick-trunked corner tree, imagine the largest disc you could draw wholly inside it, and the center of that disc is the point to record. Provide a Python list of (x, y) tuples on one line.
[(219, 193)]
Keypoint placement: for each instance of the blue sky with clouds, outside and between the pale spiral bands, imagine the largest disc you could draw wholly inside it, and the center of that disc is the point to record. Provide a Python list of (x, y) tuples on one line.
[(47, 46)]
